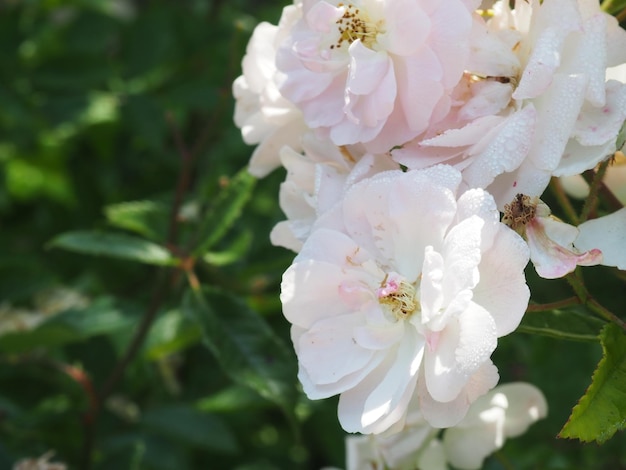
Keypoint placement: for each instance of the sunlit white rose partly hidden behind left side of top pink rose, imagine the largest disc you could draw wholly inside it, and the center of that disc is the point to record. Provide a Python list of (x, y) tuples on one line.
[(264, 116)]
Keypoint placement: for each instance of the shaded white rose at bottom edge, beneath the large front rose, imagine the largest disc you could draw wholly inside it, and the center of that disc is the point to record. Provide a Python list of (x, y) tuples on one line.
[(505, 412)]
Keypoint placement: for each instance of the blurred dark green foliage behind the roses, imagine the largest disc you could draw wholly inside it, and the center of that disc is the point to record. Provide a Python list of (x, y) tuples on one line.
[(101, 102)]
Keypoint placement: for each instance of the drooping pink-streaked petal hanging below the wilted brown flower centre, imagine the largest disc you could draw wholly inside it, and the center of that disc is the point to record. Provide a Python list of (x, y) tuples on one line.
[(551, 259)]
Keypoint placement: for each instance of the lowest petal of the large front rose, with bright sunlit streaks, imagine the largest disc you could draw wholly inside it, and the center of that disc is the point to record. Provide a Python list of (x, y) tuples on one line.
[(381, 399)]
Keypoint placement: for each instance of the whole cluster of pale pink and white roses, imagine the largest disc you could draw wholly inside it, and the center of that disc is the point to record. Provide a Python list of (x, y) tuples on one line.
[(406, 127)]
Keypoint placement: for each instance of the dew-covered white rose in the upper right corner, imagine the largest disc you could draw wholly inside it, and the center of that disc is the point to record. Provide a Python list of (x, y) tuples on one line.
[(534, 102)]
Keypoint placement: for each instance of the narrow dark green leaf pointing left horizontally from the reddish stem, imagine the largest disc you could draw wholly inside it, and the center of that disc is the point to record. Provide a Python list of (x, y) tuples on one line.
[(114, 245)]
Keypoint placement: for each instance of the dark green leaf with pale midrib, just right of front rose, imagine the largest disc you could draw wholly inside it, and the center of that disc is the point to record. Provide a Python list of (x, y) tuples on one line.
[(570, 324)]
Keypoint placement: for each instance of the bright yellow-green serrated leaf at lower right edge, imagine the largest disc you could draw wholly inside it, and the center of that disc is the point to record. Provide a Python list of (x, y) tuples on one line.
[(602, 409)]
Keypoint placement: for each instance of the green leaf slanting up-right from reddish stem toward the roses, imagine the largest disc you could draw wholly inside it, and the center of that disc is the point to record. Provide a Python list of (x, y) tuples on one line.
[(225, 210)]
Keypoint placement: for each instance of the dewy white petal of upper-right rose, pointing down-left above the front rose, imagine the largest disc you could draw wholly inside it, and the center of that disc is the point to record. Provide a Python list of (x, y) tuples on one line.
[(506, 151)]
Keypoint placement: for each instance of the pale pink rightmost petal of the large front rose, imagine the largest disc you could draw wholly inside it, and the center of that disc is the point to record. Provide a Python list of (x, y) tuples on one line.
[(502, 289)]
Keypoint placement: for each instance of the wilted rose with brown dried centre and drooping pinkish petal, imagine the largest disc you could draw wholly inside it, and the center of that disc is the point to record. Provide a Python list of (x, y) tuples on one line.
[(551, 241)]
